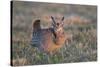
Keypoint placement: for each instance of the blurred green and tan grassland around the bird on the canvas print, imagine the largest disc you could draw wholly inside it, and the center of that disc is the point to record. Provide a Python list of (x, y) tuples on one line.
[(80, 26)]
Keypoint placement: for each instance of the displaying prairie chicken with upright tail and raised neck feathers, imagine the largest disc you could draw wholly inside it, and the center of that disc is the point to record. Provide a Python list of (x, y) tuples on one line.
[(49, 39)]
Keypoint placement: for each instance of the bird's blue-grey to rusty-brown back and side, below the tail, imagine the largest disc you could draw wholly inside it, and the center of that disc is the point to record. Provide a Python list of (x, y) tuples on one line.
[(43, 39)]
